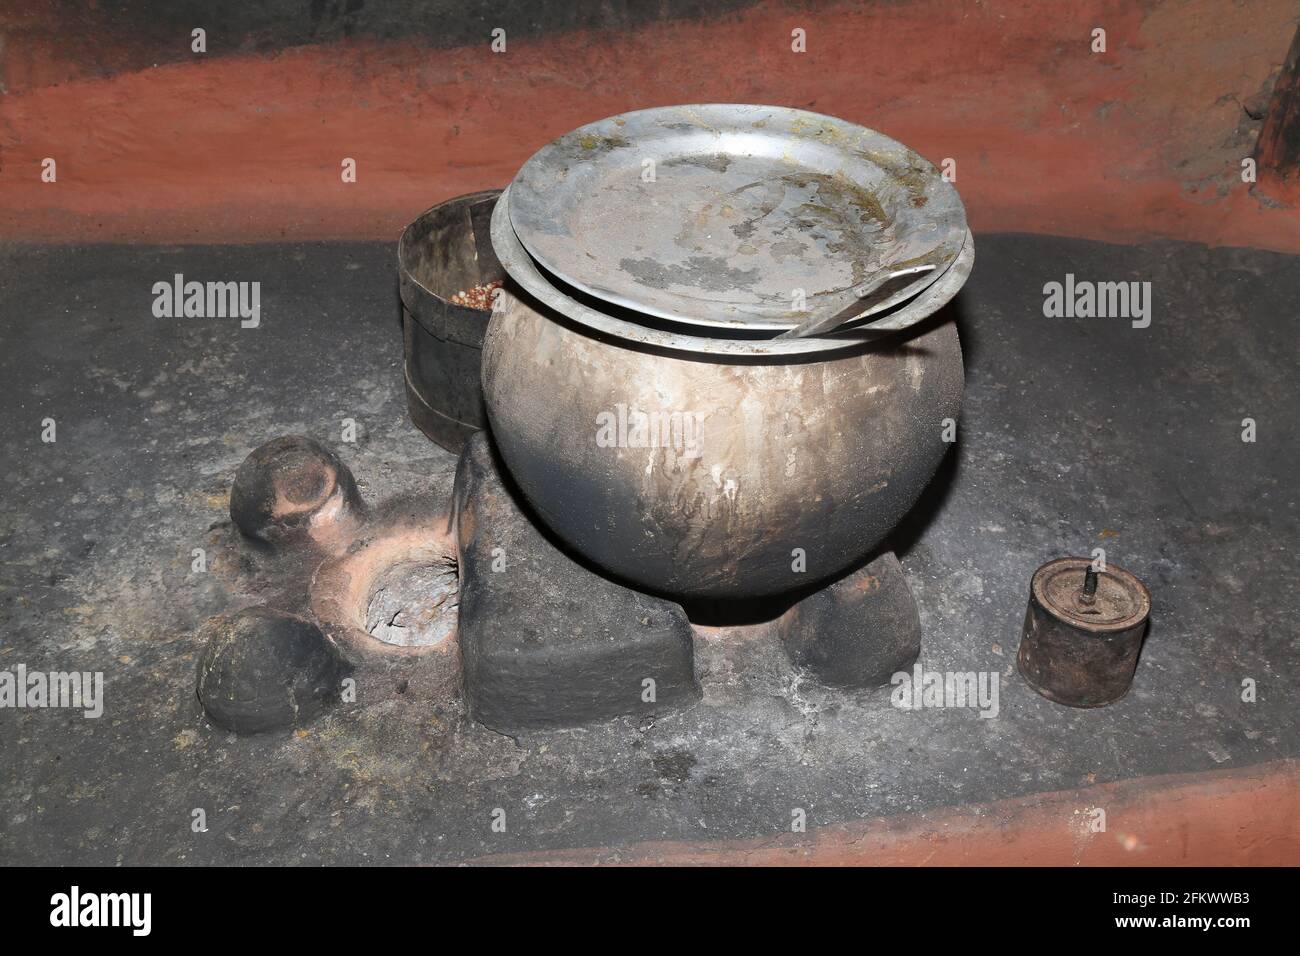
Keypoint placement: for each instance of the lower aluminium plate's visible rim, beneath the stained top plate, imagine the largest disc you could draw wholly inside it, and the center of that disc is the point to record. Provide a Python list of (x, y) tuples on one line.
[(721, 347)]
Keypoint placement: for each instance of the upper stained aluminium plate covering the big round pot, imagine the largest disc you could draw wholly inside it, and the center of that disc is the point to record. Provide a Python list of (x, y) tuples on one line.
[(734, 215)]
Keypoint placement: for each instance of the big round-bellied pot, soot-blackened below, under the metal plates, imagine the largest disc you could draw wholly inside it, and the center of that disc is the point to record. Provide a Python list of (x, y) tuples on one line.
[(717, 477)]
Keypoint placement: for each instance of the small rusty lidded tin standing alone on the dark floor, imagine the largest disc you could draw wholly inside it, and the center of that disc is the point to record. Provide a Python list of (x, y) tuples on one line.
[(1082, 633)]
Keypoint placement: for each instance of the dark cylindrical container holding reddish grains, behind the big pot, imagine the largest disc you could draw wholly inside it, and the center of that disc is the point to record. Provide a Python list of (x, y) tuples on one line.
[(444, 252)]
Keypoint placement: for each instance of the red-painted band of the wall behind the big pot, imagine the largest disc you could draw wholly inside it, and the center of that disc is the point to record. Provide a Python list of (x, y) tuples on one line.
[(1142, 141)]
